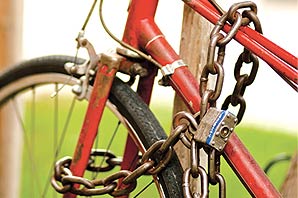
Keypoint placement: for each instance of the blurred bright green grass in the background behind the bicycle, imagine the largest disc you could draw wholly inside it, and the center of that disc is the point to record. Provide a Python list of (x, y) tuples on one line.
[(263, 145)]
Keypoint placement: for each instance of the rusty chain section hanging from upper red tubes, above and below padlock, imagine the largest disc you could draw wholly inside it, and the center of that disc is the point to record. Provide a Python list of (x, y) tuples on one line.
[(214, 66)]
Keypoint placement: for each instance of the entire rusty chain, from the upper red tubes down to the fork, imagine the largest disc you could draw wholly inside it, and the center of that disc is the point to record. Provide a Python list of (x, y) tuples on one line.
[(185, 125)]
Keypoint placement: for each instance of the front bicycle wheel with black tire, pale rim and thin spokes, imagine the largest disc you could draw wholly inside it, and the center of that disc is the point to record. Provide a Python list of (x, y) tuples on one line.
[(26, 88)]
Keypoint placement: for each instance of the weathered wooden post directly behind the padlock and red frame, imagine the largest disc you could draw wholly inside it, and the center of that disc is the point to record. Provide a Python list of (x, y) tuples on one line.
[(193, 50)]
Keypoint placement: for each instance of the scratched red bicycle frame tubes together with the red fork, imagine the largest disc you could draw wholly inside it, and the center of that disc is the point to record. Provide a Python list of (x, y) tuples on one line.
[(142, 32)]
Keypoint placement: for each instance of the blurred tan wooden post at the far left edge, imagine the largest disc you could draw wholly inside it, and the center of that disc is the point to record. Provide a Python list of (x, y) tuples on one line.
[(10, 45)]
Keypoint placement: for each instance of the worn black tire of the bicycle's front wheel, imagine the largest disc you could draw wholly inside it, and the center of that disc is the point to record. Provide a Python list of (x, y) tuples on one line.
[(130, 106)]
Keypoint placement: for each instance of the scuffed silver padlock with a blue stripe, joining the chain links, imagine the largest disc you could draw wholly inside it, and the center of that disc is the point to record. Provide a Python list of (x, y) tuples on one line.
[(215, 128)]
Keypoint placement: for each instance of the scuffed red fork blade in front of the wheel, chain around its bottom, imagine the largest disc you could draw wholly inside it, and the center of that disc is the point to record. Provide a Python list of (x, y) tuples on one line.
[(107, 68)]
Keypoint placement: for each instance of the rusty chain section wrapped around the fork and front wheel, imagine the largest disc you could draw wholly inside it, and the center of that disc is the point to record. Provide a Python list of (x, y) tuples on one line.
[(63, 180)]
